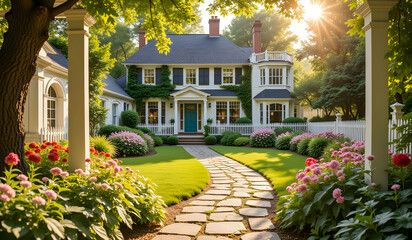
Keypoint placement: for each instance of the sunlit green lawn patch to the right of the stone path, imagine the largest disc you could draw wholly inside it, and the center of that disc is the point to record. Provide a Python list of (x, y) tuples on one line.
[(278, 166)]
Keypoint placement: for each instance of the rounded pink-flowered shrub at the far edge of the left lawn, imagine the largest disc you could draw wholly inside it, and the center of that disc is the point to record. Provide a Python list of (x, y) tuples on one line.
[(128, 143)]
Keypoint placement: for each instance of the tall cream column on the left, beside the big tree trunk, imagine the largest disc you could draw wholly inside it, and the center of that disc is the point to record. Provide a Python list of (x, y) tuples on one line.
[(79, 23)]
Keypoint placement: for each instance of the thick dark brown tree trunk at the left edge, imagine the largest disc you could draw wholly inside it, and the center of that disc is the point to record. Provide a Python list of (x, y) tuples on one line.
[(28, 30)]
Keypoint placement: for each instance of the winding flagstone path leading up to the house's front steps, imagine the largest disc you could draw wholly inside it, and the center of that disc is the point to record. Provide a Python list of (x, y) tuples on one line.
[(236, 205)]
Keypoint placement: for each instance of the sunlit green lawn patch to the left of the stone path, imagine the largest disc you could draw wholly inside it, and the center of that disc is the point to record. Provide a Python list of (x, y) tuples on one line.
[(177, 174)]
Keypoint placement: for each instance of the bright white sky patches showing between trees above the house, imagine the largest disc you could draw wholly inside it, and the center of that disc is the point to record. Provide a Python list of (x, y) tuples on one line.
[(298, 28)]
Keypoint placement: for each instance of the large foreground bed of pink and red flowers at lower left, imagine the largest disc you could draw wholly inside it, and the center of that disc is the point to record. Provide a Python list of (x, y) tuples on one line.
[(50, 203)]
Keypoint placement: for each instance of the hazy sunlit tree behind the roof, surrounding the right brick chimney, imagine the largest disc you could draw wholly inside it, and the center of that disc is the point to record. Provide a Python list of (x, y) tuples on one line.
[(276, 35)]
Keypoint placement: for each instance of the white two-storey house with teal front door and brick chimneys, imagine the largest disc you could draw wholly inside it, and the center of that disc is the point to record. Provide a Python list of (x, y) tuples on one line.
[(200, 65)]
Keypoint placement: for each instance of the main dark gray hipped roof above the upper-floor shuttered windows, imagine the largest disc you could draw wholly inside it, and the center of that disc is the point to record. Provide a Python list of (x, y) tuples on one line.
[(195, 49)]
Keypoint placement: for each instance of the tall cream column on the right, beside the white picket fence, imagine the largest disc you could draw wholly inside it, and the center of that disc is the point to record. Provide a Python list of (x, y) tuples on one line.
[(375, 13)]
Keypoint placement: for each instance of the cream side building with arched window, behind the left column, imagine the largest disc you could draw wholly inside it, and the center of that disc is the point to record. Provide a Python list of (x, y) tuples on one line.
[(46, 110)]
